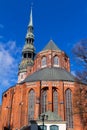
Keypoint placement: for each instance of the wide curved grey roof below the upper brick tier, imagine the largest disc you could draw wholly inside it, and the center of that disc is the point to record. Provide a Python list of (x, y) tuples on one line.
[(50, 74)]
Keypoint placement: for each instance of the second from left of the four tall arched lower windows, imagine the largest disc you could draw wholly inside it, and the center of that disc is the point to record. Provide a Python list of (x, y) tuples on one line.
[(43, 101)]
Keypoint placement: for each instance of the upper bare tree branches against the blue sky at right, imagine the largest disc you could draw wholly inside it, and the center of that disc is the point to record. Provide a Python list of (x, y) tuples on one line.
[(80, 54)]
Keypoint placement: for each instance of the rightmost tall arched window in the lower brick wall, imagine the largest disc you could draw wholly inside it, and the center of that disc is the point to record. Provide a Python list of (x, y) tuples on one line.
[(69, 116)]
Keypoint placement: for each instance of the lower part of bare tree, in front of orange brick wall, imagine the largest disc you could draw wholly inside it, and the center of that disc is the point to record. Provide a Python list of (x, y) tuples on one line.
[(80, 104)]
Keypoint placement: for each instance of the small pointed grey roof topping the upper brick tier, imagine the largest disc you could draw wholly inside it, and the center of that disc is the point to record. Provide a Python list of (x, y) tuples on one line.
[(51, 46)]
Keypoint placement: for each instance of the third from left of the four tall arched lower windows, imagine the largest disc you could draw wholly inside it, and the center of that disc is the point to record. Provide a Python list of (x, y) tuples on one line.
[(55, 101)]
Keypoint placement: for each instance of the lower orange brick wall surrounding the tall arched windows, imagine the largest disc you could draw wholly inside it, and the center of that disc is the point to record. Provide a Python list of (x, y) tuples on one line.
[(15, 102)]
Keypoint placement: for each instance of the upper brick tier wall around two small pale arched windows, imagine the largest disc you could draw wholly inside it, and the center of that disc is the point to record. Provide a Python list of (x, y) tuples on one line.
[(63, 60)]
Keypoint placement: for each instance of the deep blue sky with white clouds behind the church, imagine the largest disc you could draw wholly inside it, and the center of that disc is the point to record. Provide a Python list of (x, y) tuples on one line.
[(64, 21)]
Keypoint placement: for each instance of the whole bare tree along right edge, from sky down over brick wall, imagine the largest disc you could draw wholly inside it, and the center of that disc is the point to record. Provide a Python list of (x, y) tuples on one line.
[(80, 94)]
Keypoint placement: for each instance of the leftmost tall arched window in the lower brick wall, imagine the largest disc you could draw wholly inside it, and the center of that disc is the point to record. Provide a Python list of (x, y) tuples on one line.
[(31, 104)]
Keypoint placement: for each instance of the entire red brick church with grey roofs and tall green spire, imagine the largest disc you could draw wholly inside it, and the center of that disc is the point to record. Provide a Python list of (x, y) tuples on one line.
[(43, 97)]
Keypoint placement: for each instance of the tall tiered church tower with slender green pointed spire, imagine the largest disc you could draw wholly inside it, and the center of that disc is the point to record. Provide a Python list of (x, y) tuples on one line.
[(28, 52)]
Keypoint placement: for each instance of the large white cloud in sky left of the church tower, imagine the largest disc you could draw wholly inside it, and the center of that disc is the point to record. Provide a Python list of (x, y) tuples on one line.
[(8, 64)]
